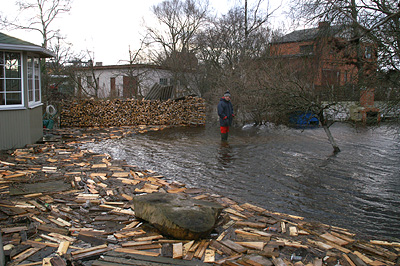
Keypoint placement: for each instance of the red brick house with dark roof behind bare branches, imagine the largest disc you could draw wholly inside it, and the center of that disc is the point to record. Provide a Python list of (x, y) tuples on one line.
[(326, 57)]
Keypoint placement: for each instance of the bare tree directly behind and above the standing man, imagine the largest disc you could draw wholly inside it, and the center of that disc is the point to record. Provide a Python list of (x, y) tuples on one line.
[(229, 53)]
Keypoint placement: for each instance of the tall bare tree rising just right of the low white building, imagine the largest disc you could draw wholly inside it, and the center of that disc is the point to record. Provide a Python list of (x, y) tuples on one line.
[(172, 41)]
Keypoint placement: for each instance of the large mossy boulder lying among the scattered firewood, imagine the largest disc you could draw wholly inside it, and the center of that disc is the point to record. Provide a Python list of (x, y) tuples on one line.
[(177, 215)]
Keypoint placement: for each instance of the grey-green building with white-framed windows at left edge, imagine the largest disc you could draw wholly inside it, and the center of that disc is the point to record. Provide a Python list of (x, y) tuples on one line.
[(20, 92)]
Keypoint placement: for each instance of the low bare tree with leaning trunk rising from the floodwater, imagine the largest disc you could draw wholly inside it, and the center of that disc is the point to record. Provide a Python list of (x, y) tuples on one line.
[(290, 90)]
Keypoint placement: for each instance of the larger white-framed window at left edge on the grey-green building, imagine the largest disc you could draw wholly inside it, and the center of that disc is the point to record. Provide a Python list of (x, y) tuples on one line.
[(3, 78)]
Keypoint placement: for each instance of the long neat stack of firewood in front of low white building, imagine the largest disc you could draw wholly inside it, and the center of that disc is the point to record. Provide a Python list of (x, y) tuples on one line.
[(189, 111)]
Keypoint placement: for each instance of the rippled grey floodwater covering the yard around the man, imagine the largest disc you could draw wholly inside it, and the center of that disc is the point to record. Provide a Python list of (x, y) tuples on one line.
[(286, 170)]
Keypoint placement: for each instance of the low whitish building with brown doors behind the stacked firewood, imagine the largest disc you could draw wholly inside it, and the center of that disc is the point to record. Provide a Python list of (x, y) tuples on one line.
[(128, 81)]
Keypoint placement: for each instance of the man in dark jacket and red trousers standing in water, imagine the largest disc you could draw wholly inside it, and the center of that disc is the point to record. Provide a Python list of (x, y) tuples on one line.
[(225, 113)]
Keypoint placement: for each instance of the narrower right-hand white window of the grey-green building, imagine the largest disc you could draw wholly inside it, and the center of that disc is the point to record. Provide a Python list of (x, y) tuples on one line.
[(34, 95)]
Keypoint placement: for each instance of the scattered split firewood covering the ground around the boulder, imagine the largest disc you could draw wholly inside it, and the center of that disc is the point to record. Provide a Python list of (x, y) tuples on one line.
[(62, 205)]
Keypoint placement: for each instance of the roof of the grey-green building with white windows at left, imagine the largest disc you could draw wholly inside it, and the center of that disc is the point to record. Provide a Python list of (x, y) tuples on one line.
[(11, 43)]
